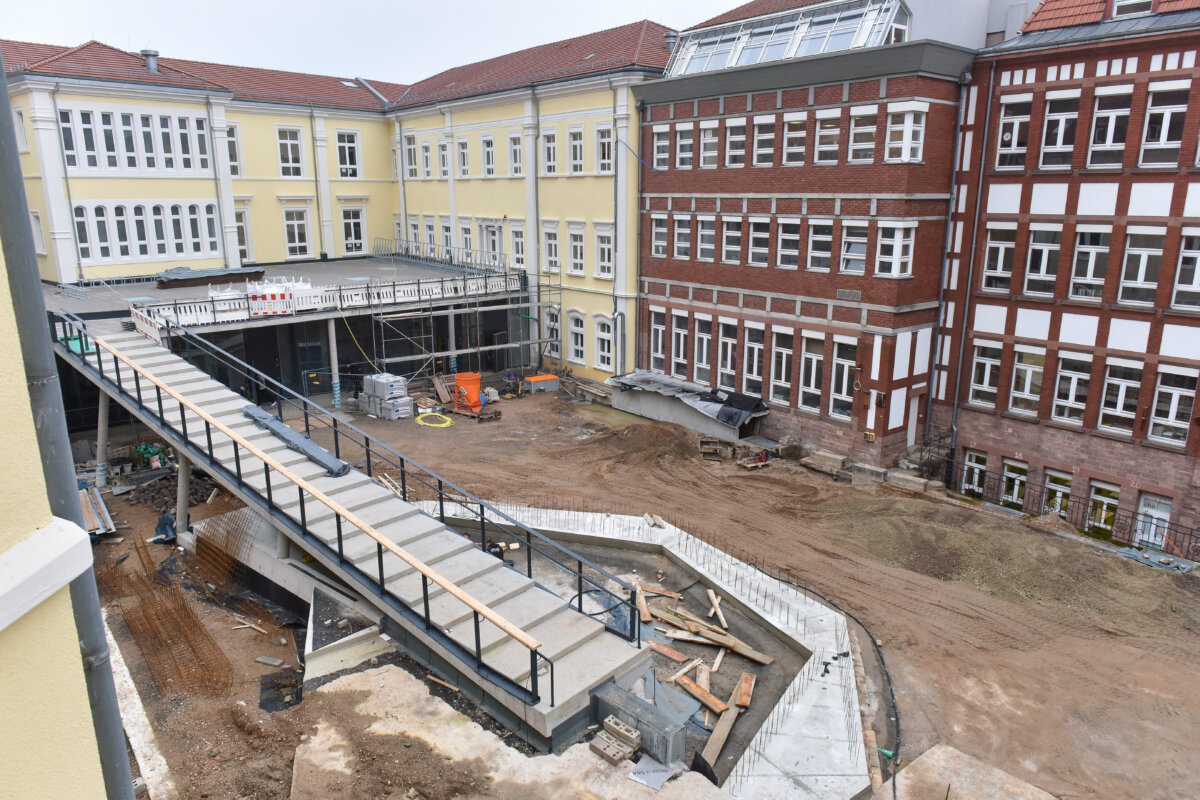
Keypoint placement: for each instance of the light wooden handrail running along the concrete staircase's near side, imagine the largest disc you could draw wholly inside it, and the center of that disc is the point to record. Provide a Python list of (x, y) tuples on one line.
[(337, 508)]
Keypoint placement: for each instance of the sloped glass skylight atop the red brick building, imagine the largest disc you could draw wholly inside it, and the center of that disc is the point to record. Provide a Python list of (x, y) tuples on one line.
[(821, 29)]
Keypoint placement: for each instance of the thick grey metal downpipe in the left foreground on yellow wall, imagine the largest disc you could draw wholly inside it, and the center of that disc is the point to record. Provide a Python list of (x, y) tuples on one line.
[(58, 466)]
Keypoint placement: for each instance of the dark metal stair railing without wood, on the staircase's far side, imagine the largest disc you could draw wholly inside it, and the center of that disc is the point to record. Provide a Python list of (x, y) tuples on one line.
[(544, 561)]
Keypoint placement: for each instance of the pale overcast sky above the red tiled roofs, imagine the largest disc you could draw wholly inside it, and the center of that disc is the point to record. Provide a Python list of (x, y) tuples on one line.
[(400, 41)]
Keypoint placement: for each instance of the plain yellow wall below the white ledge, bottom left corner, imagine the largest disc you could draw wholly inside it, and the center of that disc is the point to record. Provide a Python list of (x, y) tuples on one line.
[(47, 741)]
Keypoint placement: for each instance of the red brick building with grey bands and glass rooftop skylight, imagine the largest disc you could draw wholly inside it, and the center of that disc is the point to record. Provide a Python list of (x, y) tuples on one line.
[(795, 210)]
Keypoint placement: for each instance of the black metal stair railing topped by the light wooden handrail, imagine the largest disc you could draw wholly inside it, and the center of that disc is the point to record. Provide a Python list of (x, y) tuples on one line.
[(148, 400)]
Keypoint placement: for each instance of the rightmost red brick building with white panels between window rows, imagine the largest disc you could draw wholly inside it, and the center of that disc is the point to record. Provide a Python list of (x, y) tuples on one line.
[(1071, 339)]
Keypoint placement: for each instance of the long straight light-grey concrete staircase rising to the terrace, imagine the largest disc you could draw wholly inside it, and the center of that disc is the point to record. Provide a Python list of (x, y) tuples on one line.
[(584, 652)]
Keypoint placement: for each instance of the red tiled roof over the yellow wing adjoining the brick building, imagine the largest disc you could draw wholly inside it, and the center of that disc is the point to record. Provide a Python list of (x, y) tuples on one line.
[(634, 45)]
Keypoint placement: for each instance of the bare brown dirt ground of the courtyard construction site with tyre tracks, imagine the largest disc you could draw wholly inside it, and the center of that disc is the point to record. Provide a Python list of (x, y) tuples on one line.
[(1070, 669)]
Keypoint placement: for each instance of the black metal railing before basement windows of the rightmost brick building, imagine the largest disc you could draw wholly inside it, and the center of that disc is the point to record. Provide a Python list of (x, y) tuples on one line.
[(1097, 514)]
